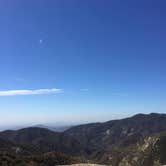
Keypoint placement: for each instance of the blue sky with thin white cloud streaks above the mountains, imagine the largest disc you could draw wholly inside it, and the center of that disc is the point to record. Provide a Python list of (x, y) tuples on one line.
[(74, 61)]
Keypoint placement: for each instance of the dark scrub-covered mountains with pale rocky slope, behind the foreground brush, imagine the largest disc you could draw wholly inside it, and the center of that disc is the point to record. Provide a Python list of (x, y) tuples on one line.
[(136, 141)]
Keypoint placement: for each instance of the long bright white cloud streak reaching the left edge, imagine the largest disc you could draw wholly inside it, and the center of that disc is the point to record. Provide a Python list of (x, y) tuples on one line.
[(30, 92)]
